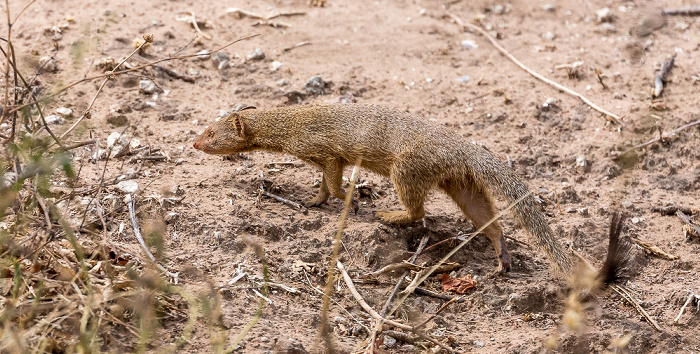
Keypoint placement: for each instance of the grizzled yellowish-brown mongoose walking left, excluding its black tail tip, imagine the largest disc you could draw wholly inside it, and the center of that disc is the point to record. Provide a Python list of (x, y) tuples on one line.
[(417, 155)]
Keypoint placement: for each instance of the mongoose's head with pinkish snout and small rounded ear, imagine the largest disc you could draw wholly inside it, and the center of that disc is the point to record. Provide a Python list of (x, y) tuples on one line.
[(227, 136)]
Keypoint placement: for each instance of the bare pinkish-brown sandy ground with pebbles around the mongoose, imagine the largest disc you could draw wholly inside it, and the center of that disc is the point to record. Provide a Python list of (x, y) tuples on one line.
[(408, 55)]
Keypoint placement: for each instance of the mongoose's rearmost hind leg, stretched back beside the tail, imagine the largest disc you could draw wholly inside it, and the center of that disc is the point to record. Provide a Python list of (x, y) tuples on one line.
[(477, 206)]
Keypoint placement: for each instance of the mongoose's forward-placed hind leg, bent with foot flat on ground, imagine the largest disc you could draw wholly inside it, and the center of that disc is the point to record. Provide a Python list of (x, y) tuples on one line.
[(412, 195)]
